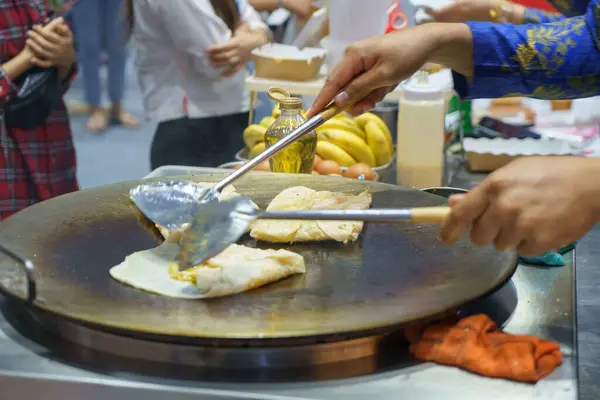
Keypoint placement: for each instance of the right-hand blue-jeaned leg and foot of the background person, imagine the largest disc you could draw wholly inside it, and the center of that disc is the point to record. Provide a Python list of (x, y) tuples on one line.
[(116, 41)]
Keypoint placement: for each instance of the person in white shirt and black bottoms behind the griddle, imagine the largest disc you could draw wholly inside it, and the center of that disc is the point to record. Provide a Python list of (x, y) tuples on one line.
[(191, 59)]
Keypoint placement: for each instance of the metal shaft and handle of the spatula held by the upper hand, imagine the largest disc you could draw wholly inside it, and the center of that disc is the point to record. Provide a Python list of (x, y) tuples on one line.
[(329, 112)]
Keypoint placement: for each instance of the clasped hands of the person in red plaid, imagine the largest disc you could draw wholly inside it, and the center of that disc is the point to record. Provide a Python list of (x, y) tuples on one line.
[(51, 45)]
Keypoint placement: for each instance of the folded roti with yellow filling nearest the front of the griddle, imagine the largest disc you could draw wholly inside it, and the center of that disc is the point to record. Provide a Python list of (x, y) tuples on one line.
[(237, 269)]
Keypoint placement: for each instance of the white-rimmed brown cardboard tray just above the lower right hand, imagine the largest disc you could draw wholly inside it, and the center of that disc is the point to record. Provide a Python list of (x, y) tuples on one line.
[(487, 155)]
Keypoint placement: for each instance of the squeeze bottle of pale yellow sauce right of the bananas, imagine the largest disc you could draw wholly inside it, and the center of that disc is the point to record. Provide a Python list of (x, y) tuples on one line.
[(420, 148)]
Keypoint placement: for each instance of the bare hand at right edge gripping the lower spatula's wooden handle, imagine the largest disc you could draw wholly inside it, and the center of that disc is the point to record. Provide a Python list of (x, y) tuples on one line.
[(532, 205)]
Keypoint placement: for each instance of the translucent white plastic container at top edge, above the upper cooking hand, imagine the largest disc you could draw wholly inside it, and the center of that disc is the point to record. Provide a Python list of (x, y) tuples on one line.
[(355, 20)]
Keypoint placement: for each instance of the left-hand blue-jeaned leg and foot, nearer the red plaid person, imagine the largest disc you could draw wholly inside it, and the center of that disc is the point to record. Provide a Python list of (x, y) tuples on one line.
[(86, 17)]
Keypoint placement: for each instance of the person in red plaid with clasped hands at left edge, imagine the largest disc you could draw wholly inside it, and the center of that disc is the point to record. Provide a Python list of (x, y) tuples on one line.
[(35, 164)]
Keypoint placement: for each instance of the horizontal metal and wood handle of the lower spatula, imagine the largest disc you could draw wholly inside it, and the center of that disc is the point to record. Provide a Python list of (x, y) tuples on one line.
[(423, 215)]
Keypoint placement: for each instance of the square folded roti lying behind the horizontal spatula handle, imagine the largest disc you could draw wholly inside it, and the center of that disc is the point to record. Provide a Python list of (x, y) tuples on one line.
[(303, 198)]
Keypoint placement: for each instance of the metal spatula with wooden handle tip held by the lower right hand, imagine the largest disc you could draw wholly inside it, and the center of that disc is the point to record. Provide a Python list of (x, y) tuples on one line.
[(220, 224)]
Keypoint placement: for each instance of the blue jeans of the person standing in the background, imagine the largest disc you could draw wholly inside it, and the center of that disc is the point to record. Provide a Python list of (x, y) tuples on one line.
[(100, 25)]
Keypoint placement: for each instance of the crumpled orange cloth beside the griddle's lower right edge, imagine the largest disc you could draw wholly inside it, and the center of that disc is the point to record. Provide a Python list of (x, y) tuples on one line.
[(475, 344)]
